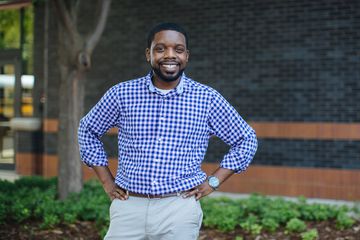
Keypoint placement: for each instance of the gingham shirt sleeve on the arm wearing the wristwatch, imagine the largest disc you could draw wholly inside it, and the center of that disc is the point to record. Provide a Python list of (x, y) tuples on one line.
[(226, 123)]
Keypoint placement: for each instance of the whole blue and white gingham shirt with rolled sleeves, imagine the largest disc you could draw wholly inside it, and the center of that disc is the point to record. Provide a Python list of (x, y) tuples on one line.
[(162, 138)]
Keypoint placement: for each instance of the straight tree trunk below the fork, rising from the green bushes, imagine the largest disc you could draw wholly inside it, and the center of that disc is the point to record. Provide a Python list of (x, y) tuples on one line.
[(71, 109)]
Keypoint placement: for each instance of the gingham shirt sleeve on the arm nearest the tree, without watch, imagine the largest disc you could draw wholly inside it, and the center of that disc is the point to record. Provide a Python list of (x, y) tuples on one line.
[(99, 120)]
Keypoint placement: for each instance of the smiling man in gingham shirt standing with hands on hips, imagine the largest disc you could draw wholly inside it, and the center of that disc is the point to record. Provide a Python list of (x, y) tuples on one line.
[(165, 120)]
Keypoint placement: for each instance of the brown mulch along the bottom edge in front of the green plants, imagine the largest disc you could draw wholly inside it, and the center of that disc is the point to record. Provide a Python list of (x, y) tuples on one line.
[(82, 230)]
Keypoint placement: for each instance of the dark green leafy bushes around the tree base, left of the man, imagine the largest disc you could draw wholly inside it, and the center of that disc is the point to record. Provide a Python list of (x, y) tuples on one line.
[(36, 198)]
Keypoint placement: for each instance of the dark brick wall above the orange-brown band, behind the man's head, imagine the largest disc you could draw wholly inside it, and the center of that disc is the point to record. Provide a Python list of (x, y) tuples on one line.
[(274, 60)]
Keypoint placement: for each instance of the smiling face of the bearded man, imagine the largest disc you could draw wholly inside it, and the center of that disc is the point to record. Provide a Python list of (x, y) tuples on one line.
[(168, 55)]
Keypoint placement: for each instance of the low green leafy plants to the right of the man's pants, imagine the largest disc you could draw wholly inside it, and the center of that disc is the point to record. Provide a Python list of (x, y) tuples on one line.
[(258, 213)]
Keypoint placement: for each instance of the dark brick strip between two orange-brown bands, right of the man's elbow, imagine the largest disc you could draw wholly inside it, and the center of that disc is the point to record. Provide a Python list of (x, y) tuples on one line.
[(309, 153)]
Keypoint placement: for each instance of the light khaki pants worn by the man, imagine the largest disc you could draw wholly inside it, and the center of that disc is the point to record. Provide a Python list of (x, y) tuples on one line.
[(171, 218)]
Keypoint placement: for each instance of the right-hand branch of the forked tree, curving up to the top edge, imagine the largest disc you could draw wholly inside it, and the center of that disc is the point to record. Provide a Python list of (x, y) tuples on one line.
[(94, 38)]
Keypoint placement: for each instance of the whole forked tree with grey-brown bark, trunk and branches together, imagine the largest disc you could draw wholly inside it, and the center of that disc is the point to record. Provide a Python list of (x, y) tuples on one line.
[(74, 61)]
